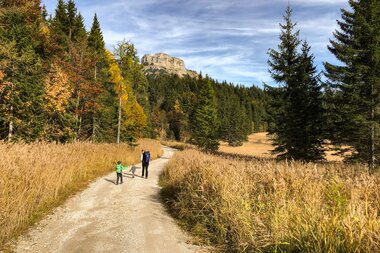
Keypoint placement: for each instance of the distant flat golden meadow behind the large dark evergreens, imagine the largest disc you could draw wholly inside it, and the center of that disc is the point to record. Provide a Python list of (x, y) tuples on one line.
[(260, 145)]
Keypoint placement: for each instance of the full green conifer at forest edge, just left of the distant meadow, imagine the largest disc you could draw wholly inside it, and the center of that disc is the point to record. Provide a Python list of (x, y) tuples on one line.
[(204, 120)]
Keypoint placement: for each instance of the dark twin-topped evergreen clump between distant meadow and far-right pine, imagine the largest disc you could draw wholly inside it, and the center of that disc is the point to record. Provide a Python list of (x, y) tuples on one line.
[(295, 108)]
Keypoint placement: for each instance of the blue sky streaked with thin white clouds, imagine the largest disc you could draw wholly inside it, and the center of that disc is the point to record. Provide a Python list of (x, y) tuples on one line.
[(227, 39)]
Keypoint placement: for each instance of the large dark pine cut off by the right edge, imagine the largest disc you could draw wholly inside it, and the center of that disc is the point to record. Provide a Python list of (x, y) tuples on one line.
[(355, 85)]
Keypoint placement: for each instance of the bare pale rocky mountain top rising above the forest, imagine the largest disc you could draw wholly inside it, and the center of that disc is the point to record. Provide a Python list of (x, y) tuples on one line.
[(155, 64)]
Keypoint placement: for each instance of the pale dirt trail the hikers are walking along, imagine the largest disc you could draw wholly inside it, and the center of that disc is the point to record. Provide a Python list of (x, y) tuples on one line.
[(112, 218)]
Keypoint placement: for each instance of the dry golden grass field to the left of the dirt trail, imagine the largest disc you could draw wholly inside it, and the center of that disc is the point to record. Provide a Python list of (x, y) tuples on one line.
[(36, 177)]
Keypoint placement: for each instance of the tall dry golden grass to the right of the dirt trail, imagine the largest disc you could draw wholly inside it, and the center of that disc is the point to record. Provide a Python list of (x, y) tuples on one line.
[(269, 206)]
